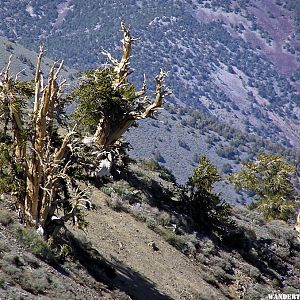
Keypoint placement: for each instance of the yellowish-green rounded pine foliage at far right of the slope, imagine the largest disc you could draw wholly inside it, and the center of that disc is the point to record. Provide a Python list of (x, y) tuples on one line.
[(270, 178)]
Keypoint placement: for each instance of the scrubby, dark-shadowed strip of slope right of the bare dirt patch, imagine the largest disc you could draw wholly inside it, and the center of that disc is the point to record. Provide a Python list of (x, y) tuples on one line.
[(264, 254)]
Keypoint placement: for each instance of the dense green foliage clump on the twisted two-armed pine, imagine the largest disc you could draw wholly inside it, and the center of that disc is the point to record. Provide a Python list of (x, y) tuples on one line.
[(98, 98)]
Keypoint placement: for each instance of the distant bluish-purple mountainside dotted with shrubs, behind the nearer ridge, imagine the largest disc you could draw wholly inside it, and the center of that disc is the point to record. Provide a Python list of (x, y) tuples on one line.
[(236, 60)]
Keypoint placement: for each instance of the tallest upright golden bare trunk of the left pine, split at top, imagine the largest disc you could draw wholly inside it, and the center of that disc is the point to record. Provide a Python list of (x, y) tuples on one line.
[(44, 105)]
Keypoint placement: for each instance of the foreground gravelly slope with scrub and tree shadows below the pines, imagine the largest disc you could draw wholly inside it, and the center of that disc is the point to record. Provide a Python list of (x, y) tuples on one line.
[(140, 245)]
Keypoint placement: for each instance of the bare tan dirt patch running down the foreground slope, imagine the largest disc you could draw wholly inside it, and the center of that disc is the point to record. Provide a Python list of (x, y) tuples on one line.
[(127, 243)]
